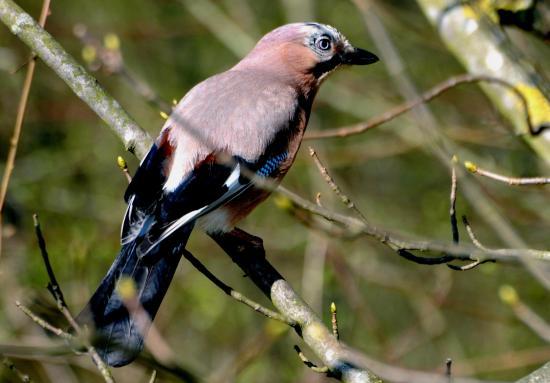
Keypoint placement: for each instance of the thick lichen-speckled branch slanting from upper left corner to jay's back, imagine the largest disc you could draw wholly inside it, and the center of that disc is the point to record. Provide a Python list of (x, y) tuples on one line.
[(83, 84)]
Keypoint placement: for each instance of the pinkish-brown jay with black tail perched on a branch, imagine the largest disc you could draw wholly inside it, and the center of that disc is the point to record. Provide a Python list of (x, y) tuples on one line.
[(243, 124)]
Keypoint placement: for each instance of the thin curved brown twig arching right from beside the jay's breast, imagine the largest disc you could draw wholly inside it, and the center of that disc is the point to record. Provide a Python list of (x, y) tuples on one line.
[(427, 96)]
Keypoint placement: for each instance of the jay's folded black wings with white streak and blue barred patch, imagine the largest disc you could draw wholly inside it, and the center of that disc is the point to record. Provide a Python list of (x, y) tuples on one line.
[(154, 213)]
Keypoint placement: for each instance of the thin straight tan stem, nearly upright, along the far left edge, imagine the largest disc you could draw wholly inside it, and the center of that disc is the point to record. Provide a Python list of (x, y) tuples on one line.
[(22, 107)]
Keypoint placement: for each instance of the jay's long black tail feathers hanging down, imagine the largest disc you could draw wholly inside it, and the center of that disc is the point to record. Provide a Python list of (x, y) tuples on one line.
[(119, 329)]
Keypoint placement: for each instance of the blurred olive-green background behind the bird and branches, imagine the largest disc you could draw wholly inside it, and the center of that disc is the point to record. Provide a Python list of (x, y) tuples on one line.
[(398, 312)]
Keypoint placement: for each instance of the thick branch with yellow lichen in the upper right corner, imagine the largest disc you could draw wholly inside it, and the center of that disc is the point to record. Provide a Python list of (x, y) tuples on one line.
[(491, 53)]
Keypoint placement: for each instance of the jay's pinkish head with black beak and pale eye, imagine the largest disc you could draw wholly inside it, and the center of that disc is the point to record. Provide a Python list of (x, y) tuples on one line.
[(307, 49)]
